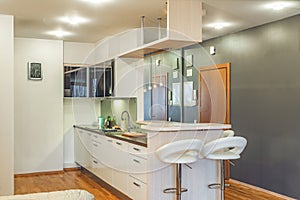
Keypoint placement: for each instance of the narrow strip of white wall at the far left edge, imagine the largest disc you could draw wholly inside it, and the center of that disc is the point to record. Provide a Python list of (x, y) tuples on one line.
[(7, 105)]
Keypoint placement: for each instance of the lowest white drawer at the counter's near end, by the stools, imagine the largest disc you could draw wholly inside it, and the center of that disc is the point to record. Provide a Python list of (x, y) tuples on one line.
[(137, 189)]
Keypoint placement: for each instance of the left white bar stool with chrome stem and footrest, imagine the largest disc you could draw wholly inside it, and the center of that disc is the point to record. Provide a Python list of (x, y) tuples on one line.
[(178, 153)]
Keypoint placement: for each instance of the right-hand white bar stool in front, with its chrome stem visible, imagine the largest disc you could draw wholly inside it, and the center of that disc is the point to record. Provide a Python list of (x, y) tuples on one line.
[(226, 148)]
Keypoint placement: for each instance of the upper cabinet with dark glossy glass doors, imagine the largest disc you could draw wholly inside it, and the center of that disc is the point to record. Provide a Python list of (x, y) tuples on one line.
[(89, 81)]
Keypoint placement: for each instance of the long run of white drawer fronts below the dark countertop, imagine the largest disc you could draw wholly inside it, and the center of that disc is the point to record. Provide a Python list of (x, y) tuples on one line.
[(118, 163)]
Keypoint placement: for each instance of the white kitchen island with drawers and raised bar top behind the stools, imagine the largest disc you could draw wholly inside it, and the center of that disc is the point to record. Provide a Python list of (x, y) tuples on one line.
[(131, 166)]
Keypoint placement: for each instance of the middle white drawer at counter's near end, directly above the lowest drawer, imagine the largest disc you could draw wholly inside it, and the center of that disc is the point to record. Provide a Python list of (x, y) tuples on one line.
[(138, 168)]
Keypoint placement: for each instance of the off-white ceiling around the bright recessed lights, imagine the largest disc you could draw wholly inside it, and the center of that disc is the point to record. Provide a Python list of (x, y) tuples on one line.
[(34, 18)]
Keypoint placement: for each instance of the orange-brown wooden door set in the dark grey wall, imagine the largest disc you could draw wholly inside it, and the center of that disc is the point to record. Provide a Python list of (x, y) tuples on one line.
[(214, 94)]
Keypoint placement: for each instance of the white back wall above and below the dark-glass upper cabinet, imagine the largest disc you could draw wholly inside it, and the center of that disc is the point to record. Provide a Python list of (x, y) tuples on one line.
[(80, 111)]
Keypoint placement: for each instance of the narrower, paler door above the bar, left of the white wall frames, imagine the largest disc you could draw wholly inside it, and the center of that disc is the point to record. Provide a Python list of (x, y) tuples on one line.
[(159, 98)]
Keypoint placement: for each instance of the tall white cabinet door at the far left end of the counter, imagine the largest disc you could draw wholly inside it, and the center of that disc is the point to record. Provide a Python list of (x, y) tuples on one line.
[(81, 147)]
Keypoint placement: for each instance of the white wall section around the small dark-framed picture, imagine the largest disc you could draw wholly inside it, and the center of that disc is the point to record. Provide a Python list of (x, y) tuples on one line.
[(38, 107)]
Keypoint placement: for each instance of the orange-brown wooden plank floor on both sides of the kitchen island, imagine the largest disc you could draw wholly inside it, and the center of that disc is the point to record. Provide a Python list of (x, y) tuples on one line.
[(79, 180)]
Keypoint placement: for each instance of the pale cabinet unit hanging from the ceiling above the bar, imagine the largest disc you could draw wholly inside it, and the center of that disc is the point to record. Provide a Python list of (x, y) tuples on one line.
[(183, 29)]
